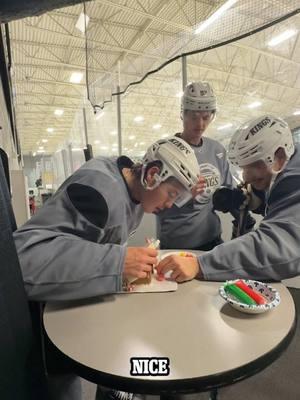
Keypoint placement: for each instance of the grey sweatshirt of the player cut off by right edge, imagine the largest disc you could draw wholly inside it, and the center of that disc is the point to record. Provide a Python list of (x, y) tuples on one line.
[(271, 252)]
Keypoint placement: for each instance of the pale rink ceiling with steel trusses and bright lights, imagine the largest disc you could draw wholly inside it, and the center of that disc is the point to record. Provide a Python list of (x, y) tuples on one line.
[(133, 37)]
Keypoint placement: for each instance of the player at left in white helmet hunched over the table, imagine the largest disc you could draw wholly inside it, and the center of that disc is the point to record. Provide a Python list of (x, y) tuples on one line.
[(74, 247)]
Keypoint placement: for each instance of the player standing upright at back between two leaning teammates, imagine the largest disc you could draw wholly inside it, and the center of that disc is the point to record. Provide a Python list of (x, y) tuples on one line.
[(196, 225)]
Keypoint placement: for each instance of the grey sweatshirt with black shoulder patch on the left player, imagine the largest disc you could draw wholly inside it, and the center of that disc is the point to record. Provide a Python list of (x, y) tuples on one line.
[(74, 247)]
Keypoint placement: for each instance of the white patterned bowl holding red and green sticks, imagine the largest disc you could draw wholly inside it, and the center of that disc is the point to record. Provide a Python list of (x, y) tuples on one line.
[(270, 294)]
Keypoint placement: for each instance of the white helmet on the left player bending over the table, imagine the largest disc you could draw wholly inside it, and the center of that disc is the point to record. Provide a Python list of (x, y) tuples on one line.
[(178, 160)]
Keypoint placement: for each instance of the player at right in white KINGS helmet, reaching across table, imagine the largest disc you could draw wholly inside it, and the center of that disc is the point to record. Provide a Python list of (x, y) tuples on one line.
[(263, 148)]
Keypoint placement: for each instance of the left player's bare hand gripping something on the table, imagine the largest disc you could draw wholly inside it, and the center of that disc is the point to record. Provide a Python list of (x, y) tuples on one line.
[(139, 261)]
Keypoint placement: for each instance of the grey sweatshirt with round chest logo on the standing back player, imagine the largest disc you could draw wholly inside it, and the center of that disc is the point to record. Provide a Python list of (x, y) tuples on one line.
[(196, 223)]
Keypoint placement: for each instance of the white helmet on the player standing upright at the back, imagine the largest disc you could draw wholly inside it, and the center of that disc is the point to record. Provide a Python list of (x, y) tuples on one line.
[(199, 96)]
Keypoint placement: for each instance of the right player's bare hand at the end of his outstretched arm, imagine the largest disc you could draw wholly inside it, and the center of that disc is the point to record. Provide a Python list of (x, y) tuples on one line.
[(184, 268)]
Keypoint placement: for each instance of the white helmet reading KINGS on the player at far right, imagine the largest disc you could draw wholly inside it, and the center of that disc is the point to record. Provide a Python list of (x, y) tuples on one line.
[(259, 139)]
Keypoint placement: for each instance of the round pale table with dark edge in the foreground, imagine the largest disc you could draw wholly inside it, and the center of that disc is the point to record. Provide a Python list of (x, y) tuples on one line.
[(209, 344)]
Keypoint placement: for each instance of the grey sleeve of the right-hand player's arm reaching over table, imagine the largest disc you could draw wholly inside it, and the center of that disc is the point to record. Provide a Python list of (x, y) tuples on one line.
[(271, 252)]
